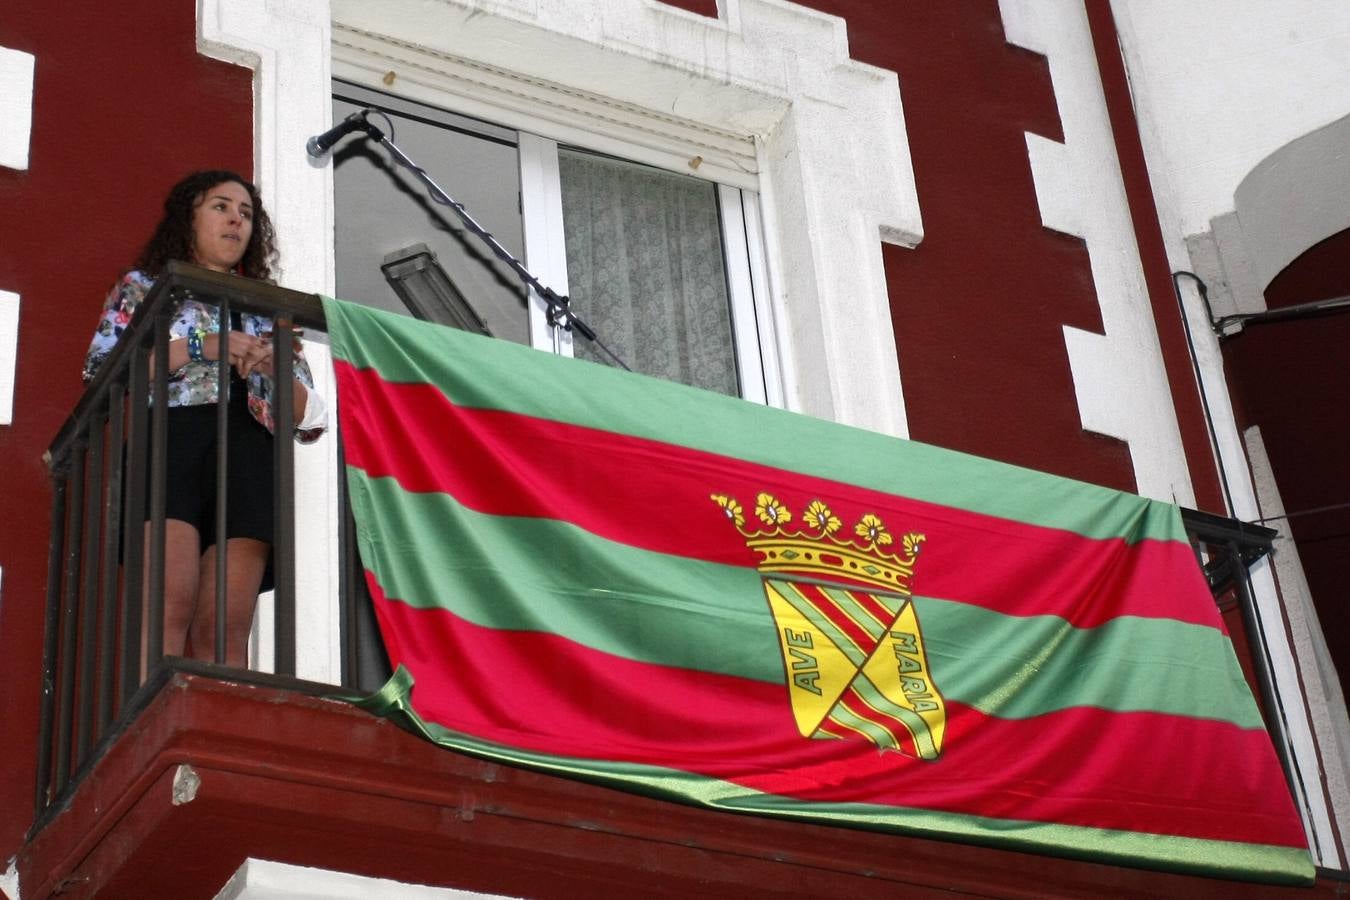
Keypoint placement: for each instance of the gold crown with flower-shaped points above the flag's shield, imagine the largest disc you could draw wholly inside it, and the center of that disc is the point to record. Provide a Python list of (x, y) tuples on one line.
[(813, 549)]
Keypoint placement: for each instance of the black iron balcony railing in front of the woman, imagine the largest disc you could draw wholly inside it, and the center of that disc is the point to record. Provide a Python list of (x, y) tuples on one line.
[(105, 617)]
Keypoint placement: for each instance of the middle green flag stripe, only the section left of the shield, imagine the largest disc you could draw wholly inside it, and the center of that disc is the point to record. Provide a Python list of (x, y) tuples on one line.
[(611, 597)]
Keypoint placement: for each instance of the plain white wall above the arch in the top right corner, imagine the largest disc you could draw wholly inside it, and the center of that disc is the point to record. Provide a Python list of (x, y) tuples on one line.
[(1220, 86)]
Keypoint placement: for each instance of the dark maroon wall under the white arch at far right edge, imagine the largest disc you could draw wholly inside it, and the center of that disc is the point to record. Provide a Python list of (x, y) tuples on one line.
[(1291, 378)]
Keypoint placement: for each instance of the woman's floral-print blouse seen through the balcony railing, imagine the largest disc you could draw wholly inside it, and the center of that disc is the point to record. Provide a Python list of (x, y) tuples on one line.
[(195, 384)]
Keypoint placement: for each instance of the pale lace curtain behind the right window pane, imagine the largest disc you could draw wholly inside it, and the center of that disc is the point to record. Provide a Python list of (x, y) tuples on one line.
[(646, 269)]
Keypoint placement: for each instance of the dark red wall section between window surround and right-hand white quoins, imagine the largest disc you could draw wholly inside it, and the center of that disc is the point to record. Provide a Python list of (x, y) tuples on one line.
[(979, 306)]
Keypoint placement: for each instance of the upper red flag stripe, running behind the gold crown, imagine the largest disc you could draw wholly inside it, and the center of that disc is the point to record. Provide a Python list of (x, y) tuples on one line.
[(655, 496)]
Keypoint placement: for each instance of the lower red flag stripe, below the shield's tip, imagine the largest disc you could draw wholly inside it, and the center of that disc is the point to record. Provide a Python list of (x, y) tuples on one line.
[(1086, 767)]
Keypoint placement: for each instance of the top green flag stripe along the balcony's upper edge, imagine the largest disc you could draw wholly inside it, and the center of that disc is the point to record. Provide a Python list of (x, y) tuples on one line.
[(491, 374)]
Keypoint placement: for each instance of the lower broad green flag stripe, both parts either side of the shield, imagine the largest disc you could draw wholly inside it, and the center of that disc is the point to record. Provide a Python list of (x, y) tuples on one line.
[(543, 575)]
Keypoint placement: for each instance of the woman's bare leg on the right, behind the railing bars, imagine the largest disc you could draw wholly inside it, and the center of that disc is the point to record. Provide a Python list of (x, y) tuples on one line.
[(245, 566)]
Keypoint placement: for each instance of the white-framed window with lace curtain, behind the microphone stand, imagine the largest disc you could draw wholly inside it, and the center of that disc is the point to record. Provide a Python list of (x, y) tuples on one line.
[(665, 266)]
